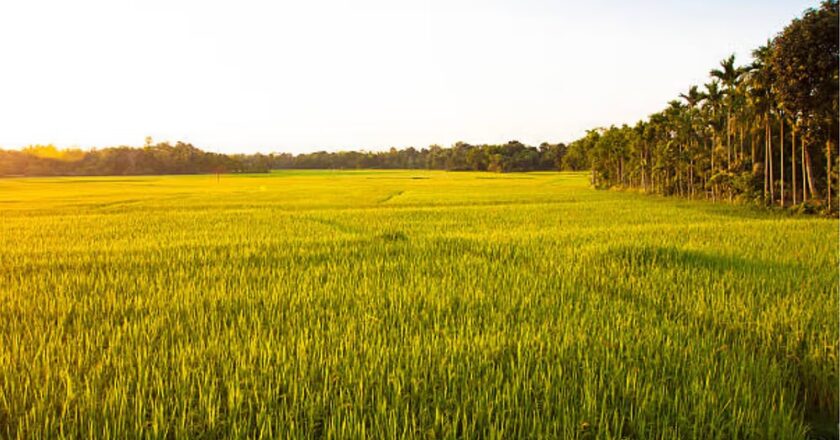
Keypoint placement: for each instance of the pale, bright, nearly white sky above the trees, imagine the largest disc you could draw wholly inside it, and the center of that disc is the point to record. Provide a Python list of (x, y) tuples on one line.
[(299, 76)]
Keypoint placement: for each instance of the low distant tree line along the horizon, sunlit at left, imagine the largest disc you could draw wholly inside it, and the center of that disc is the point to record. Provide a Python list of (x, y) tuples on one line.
[(183, 158)]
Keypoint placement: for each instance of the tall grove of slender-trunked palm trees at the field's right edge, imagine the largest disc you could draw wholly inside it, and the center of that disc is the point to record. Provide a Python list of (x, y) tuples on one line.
[(764, 132)]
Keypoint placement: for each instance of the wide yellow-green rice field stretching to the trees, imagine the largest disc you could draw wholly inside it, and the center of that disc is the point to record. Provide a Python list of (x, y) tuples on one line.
[(391, 304)]
